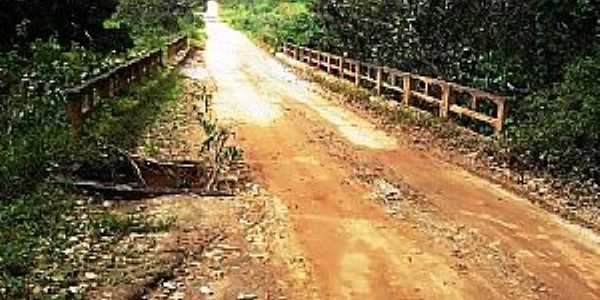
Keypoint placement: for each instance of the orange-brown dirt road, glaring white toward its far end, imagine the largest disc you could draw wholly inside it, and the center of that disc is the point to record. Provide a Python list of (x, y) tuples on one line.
[(314, 156)]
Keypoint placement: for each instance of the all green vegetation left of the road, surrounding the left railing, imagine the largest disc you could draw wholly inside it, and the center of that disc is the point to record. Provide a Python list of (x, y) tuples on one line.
[(48, 47)]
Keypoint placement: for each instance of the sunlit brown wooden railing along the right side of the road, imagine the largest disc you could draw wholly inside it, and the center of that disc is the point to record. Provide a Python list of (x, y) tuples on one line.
[(449, 98)]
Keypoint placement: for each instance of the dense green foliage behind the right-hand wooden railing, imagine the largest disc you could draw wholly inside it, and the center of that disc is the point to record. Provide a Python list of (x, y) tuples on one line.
[(543, 54)]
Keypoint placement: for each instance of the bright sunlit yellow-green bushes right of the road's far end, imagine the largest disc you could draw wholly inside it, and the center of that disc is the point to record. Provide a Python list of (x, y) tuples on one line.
[(273, 22)]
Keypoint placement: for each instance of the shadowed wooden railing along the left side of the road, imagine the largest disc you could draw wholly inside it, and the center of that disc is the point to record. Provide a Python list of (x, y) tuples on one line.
[(84, 98)]
